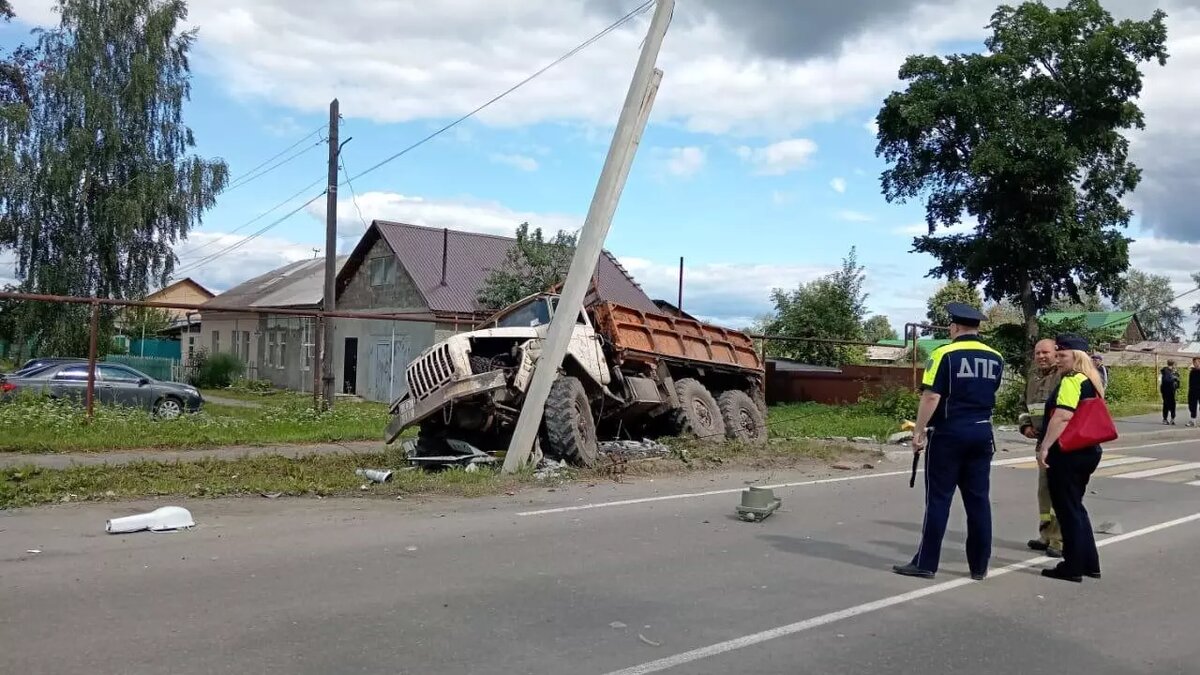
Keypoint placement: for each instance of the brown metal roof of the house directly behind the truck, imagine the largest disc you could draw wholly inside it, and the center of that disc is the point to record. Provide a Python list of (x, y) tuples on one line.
[(470, 259)]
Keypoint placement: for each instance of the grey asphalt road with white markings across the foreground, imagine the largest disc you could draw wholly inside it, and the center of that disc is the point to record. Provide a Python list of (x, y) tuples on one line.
[(639, 578)]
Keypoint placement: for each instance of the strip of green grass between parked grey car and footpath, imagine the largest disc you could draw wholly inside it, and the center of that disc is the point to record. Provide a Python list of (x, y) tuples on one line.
[(34, 426)]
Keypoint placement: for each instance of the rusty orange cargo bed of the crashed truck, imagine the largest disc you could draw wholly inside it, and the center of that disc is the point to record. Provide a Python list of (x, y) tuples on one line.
[(640, 336)]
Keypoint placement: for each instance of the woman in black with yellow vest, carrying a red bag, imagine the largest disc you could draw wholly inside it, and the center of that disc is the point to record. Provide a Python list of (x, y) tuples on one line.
[(1067, 474)]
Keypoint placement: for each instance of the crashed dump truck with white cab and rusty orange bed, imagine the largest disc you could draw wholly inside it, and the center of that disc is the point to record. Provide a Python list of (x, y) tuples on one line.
[(628, 374)]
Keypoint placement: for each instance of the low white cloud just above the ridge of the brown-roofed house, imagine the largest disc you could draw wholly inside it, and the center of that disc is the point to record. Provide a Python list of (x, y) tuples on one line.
[(472, 216)]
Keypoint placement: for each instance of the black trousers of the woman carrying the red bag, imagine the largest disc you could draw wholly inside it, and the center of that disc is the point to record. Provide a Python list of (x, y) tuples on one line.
[(1067, 477)]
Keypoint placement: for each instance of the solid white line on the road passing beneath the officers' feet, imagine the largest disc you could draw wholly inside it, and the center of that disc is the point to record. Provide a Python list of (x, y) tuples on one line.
[(859, 611)]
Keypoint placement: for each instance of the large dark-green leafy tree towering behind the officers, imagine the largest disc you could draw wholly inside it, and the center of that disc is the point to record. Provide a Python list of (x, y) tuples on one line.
[(1028, 140)]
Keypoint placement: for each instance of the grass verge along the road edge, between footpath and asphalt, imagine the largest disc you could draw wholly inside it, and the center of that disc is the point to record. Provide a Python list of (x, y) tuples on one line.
[(334, 475)]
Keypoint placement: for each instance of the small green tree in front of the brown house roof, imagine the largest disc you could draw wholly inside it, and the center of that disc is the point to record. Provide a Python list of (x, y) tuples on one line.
[(532, 266)]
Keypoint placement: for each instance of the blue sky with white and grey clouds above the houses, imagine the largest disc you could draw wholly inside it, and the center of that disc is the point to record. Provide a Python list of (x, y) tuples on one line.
[(758, 166)]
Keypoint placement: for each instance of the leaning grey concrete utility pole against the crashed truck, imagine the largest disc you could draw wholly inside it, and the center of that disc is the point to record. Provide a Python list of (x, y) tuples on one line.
[(591, 244)]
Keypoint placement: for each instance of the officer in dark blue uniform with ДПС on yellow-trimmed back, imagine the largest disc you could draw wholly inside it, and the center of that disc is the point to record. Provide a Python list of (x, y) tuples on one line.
[(957, 403)]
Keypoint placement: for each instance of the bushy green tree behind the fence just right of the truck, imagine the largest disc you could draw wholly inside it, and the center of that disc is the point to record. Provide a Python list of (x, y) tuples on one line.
[(829, 308)]
